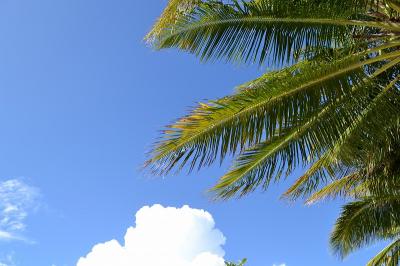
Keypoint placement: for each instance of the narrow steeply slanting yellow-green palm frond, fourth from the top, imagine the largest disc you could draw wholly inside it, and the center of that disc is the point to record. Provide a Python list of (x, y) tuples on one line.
[(340, 159)]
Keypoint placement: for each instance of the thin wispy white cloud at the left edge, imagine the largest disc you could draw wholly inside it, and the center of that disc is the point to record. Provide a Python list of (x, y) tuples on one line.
[(17, 199)]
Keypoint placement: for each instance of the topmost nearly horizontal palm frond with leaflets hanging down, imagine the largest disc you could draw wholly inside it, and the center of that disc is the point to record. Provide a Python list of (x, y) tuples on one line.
[(255, 31)]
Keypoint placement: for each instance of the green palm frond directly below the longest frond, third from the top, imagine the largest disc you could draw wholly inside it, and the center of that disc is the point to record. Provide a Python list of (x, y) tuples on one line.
[(282, 153)]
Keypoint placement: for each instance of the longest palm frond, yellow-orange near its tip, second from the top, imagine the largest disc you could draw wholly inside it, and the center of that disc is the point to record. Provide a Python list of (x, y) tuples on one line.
[(276, 101)]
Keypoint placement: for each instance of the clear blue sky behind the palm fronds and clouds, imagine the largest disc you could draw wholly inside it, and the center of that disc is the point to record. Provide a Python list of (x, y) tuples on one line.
[(81, 101)]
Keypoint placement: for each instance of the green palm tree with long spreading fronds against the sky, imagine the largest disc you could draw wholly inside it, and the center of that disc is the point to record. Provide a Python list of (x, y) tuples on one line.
[(331, 107)]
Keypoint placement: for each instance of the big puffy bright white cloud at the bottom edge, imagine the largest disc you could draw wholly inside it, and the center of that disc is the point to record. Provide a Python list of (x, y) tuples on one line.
[(163, 237)]
